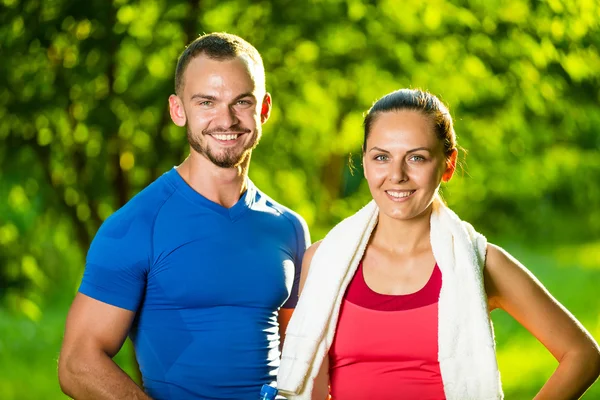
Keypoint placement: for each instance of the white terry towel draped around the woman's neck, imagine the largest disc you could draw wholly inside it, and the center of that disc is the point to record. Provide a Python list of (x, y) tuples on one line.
[(466, 355)]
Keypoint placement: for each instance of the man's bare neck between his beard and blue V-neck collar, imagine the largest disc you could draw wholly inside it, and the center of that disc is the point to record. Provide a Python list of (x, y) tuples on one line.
[(223, 186)]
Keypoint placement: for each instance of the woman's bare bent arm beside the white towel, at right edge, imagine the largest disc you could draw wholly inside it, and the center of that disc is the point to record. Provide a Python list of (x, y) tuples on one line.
[(511, 287)]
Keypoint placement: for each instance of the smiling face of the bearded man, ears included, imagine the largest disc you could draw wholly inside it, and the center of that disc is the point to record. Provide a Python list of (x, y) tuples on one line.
[(223, 109)]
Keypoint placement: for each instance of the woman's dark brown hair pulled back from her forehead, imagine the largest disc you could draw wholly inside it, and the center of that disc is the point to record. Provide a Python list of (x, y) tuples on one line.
[(417, 100)]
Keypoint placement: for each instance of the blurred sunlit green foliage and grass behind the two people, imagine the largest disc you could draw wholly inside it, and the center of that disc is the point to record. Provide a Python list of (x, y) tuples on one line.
[(84, 126)]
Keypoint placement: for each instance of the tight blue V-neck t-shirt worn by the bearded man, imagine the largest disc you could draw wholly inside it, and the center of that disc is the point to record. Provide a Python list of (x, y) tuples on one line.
[(206, 283)]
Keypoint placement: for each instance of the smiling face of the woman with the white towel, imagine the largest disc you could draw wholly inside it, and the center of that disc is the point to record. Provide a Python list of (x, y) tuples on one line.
[(404, 163)]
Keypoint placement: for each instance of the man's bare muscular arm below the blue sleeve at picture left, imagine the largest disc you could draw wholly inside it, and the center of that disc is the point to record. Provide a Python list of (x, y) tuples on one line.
[(94, 333)]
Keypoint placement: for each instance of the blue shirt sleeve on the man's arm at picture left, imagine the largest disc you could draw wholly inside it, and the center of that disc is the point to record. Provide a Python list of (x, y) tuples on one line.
[(118, 261)]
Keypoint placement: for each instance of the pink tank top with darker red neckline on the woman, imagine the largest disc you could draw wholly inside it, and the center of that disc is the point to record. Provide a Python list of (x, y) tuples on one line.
[(386, 346)]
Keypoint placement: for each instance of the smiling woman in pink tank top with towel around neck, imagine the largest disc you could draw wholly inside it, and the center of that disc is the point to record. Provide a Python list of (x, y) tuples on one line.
[(395, 300)]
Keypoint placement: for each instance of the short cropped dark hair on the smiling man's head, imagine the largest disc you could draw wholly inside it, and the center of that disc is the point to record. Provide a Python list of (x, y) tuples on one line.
[(219, 46)]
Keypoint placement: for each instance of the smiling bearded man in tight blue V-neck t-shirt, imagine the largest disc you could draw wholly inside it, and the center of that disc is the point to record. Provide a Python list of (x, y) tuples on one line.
[(200, 268)]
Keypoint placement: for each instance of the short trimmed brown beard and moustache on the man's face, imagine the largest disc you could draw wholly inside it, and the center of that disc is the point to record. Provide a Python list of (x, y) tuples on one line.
[(229, 157)]
